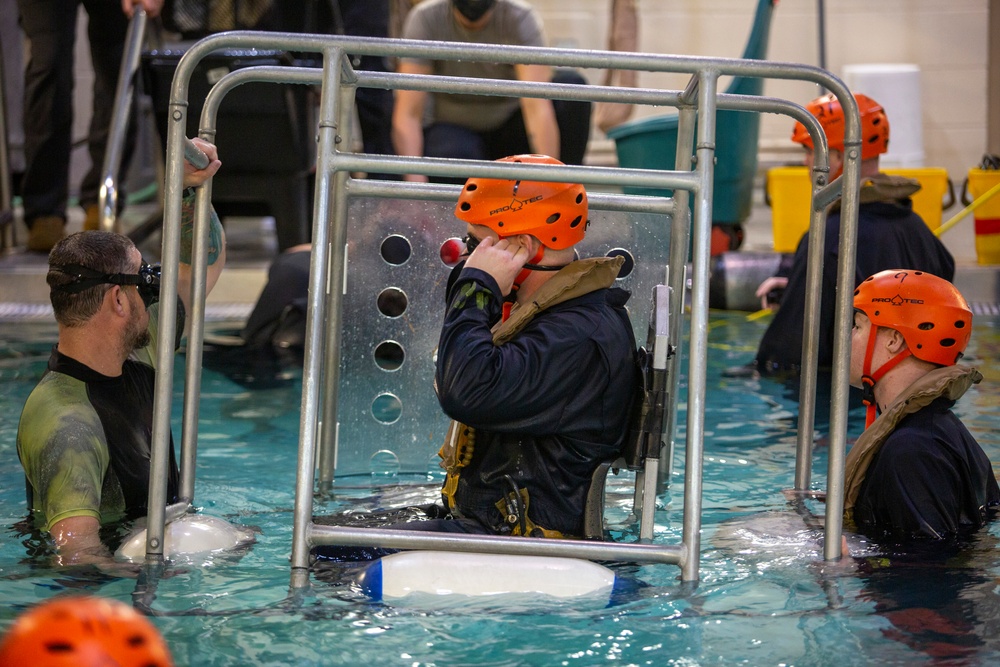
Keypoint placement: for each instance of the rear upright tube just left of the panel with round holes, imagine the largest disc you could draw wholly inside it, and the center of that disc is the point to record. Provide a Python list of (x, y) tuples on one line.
[(335, 297)]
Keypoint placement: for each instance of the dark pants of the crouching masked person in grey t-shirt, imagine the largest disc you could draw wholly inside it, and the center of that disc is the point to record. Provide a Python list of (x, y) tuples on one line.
[(511, 138)]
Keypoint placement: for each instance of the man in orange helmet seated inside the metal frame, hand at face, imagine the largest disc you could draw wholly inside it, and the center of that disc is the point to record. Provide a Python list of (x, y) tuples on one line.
[(536, 363)]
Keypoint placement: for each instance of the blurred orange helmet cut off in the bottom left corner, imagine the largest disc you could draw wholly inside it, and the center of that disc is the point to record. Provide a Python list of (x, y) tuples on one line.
[(83, 632)]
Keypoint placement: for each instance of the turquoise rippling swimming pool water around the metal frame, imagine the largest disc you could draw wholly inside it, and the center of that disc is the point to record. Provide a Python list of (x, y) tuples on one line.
[(765, 596)]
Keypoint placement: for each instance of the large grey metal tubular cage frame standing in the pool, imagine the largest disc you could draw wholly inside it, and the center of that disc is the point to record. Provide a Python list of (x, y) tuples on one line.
[(692, 181)]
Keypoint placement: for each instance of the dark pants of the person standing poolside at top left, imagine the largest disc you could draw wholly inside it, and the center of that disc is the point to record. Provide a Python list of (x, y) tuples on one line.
[(50, 26)]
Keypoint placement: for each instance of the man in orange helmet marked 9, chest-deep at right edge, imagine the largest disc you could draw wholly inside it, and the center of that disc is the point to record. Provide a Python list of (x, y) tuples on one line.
[(916, 472)]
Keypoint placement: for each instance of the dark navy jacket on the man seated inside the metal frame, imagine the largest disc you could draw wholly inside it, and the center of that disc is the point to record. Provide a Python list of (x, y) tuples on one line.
[(548, 406)]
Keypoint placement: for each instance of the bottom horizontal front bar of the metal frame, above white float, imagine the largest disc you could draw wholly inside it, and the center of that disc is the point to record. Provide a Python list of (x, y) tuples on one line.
[(413, 539)]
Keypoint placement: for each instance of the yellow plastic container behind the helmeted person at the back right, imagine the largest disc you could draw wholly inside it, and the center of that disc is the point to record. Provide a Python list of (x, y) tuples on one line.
[(788, 191)]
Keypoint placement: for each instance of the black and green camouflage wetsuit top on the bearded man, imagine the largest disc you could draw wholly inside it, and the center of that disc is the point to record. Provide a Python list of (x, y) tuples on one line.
[(84, 438)]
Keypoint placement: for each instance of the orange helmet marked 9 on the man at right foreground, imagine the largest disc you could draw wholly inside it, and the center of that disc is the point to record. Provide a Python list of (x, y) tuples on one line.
[(930, 313)]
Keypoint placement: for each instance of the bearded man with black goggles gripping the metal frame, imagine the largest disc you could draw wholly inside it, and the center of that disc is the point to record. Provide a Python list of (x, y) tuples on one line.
[(85, 431)]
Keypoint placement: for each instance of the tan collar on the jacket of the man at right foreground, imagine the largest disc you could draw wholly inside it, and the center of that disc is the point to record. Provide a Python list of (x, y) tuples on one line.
[(950, 382)]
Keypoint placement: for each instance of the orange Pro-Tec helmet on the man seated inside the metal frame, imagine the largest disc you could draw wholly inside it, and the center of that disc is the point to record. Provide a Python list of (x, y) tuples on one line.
[(554, 213)]
